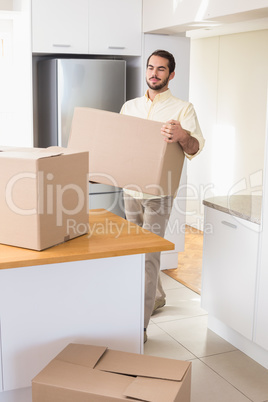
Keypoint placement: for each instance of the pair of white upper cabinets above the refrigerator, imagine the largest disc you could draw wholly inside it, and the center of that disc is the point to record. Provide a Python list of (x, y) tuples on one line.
[(87, 26)]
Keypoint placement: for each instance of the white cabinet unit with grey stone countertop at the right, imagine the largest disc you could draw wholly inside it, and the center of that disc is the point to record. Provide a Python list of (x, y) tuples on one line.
[(232, 291)]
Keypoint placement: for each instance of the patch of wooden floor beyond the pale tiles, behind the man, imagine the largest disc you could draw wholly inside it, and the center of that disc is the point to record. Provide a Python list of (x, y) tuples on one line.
[(190, 261)]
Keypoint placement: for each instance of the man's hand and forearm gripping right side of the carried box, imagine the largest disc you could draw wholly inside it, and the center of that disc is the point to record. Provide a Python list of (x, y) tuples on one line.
[(173, 132)]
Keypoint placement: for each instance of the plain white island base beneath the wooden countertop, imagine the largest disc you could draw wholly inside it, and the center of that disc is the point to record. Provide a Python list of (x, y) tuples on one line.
[(43, 308)]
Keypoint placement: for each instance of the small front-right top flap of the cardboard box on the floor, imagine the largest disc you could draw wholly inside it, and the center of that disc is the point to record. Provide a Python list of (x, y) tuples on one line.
[(152, 390)]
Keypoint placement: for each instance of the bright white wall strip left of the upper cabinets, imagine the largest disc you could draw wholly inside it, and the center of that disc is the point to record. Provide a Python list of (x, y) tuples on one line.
[(16, 74)]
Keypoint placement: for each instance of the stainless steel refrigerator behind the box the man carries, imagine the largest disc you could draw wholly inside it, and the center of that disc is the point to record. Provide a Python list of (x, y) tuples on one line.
[(64, 84)]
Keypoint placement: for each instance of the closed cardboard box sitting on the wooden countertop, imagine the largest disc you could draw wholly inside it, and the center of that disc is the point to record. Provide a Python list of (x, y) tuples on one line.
[(43, 196)]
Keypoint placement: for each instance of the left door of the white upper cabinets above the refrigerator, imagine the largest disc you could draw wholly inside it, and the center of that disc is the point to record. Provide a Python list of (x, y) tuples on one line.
[(60, 26)]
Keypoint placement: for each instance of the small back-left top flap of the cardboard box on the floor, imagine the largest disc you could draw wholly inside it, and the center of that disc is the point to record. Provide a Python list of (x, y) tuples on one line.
[(83, 355)]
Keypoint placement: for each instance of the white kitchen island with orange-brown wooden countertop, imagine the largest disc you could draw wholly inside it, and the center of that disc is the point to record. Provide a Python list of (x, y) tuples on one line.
[(89, 290)]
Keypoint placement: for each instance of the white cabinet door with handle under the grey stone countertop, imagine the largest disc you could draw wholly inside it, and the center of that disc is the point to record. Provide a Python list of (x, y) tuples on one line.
[(229, 270)]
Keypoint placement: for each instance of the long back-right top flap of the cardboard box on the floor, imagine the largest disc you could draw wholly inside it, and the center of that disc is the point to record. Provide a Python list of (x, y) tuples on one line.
[(142, 365)]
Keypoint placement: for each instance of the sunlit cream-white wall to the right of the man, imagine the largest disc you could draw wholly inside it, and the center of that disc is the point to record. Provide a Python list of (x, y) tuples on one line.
[(228, 87)]
